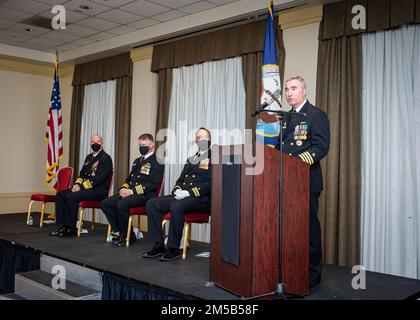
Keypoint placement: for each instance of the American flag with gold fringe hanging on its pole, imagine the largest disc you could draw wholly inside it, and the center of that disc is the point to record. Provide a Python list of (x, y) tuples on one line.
[(54, 135)]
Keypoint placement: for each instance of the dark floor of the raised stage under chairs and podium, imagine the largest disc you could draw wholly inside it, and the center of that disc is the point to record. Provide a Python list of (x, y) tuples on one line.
[(187, 277)]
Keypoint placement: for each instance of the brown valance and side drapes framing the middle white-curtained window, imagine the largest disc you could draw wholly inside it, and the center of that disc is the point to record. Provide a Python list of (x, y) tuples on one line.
[(246, 41)]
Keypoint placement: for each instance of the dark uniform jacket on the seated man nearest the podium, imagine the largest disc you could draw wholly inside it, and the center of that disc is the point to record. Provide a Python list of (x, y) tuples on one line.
[(196, 177)]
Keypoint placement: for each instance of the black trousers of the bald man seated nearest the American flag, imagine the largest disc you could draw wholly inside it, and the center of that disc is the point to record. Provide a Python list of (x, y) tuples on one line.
[(67, 204)]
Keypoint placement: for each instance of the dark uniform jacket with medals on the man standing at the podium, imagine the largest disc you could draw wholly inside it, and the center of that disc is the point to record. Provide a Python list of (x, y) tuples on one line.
[(308, 138)]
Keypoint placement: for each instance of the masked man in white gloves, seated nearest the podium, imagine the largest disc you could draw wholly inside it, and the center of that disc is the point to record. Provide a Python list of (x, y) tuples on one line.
[(190, 194)]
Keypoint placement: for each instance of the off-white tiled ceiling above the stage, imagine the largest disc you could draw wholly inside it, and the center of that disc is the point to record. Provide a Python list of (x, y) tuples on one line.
[(105, 27)]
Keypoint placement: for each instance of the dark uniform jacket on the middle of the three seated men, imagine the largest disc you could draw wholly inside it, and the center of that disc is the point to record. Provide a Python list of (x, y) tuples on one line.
[(145, 176)]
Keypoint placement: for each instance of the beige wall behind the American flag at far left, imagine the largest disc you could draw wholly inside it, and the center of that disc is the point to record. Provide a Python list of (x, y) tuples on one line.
[(25, 99)]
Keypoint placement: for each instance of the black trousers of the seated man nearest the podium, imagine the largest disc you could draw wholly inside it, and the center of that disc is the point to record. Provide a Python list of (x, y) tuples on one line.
[(157, 207)]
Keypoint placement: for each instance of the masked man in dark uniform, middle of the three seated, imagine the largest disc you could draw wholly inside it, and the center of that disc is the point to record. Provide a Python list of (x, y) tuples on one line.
[(140, 186)]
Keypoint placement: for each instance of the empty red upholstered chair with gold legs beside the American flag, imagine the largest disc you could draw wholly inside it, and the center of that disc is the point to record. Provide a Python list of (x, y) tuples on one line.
[(64, 178)]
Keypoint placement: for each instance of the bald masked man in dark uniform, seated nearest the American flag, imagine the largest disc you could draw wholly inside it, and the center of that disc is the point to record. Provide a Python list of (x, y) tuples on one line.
[(91, 185)]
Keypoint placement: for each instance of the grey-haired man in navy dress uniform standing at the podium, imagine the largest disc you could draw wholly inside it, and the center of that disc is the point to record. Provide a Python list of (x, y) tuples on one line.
[(308, 139)]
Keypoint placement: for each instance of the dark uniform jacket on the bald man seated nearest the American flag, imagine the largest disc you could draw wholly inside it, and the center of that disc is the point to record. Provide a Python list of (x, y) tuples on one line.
[(95, 172)]
